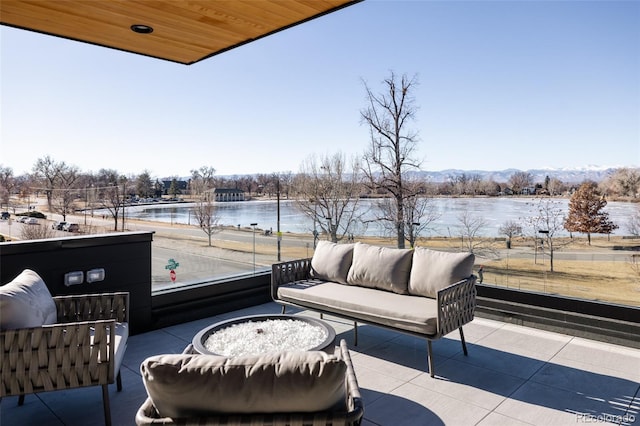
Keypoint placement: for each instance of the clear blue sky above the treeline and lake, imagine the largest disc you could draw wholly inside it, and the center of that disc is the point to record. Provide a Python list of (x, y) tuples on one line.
[(522, 84)]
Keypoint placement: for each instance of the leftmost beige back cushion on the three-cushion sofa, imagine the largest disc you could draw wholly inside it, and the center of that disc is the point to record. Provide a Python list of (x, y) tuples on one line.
[(331, 261)]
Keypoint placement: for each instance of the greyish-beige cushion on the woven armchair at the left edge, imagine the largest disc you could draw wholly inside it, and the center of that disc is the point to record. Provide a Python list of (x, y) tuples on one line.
[(26, 302)]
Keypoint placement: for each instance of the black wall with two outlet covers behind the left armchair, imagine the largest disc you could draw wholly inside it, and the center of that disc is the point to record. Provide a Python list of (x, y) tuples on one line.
[(125, 257)]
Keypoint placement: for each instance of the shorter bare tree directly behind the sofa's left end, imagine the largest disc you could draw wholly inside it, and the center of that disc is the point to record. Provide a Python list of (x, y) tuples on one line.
[(328, 190)]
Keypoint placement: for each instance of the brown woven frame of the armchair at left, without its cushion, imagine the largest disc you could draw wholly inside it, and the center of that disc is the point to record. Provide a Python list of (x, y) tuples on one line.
[(77, 351)]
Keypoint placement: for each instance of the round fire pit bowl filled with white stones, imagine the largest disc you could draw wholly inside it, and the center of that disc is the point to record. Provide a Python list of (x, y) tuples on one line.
[(257, 334)]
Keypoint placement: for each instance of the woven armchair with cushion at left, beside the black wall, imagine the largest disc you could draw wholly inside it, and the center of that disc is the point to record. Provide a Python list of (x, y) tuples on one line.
[(54, 343)]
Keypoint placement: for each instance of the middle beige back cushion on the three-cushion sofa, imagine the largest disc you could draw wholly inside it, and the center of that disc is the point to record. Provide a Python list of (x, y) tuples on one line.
[(380, 267)]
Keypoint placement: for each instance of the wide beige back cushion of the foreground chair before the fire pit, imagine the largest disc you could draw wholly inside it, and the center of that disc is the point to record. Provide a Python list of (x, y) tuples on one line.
[(285, 382)]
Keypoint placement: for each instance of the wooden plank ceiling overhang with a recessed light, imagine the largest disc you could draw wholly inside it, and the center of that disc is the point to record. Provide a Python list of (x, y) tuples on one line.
[(184, 31)]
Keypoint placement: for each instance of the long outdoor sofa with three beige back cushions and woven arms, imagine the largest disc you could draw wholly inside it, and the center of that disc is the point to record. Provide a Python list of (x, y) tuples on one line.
[(419, 291)]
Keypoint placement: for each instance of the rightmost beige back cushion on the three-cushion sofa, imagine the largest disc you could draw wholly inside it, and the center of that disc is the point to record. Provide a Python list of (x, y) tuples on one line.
[(434, 270)]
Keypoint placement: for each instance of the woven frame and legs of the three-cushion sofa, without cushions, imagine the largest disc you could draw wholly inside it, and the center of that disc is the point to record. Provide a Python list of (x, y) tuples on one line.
[(456, 305)]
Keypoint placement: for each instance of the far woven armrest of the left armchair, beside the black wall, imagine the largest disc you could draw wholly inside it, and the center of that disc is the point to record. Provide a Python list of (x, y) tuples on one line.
[(93, 307)]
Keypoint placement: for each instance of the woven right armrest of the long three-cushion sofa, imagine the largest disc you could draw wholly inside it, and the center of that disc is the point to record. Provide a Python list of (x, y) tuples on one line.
[(456, 305)]
